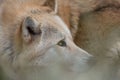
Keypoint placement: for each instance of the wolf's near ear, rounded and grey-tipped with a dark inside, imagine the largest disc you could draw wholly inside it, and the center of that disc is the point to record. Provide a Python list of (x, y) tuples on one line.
[(30, 28)]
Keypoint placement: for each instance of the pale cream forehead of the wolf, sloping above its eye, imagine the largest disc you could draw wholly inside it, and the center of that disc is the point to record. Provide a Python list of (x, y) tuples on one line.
[(50, 19)]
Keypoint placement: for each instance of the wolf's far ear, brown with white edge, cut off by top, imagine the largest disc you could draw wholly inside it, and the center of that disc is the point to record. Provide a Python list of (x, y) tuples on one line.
[(53, 4)]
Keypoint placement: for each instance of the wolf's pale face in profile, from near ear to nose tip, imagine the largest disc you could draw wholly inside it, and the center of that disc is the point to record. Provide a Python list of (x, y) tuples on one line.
[(47, 42)]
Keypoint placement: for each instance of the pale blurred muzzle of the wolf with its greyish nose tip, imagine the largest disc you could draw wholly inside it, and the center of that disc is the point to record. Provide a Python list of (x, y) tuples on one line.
[(82, 61)]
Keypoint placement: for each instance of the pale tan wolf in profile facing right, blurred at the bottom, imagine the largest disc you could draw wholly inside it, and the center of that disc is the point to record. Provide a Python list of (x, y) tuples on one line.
[(36, 43)]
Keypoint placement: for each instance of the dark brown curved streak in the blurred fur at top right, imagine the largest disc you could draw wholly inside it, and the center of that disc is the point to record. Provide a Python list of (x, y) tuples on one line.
[(107, 7)]
